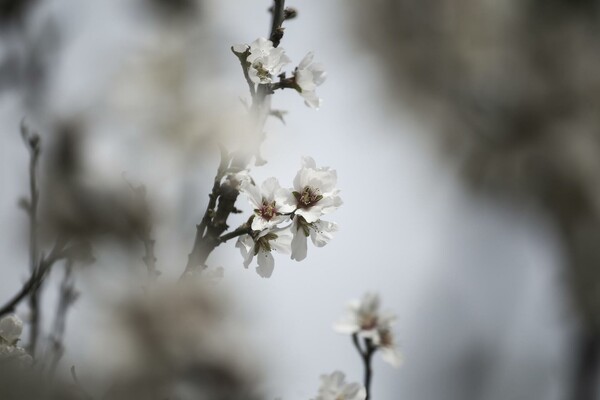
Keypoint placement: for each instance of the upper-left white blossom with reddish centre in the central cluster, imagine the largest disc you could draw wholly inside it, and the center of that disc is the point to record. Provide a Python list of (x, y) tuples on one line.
[(268, 203)]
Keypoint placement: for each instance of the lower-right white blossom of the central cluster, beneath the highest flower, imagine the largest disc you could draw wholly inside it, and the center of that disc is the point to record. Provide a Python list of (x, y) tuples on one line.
[(320, 232)]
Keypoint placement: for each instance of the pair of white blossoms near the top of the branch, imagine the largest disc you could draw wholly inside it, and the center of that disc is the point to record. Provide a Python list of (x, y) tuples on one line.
[(264, 62)]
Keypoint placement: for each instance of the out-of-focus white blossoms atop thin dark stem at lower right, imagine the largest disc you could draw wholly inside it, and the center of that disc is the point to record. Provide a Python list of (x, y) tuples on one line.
[(366, 321)]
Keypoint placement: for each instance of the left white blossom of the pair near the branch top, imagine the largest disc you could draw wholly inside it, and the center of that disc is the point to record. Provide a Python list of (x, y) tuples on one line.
[(265, 60)]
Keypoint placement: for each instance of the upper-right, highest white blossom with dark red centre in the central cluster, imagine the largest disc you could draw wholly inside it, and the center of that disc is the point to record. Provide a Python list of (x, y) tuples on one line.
[(314, 191)]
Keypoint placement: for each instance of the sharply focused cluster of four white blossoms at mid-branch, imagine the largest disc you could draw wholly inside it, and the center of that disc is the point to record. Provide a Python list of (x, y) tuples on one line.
[(313, 195)]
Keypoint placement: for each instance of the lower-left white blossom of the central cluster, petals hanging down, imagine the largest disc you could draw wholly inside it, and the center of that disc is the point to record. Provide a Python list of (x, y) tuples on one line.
[(261, 246)]
